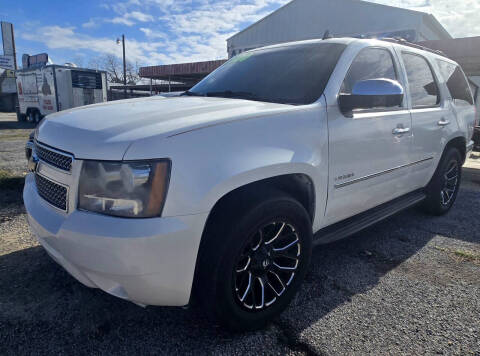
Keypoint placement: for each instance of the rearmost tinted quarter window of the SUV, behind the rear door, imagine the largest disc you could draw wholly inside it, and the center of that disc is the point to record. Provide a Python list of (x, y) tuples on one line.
[(456, 82)]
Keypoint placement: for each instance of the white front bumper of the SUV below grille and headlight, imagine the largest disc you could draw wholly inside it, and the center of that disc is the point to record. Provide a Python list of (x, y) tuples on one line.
[(146, 261)]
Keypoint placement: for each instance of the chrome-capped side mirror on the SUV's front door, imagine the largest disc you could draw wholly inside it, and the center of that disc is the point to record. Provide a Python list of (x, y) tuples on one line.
[(372, 94)]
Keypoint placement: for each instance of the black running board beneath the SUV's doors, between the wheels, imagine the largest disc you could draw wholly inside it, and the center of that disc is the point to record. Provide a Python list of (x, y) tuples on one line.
[(363, 220)]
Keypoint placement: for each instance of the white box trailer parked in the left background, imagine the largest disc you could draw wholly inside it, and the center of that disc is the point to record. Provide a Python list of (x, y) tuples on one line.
[(51, 88)]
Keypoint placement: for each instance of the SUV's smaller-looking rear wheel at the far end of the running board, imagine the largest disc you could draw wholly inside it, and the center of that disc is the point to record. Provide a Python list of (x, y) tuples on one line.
[(444, 186)]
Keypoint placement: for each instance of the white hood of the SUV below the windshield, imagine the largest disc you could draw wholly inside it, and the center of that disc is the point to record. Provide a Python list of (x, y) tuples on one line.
[(105, 131)]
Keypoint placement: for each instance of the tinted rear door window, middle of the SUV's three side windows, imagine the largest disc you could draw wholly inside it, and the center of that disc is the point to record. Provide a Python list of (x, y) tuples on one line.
[(423, 87)]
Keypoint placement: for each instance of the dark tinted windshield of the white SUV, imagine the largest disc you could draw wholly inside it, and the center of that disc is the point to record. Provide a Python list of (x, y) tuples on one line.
[(287, 75)]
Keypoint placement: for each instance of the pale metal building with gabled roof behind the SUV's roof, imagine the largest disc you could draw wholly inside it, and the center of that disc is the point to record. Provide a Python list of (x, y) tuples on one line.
[(308, 19)]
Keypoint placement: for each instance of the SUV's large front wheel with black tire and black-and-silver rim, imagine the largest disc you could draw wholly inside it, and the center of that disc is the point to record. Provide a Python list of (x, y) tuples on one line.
[(224, 275)]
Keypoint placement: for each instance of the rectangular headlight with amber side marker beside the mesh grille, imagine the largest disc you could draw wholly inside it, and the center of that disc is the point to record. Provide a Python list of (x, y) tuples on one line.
[(129, 189)]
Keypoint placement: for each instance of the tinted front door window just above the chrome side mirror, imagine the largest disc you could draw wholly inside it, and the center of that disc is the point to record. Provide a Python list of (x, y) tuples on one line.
[(370, 63)]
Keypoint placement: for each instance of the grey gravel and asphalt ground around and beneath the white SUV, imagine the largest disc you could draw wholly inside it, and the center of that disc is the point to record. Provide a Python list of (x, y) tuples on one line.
[(409, 285)]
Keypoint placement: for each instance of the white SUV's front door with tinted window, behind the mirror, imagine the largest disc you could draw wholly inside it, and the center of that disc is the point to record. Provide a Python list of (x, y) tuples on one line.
[(369, 152)]
